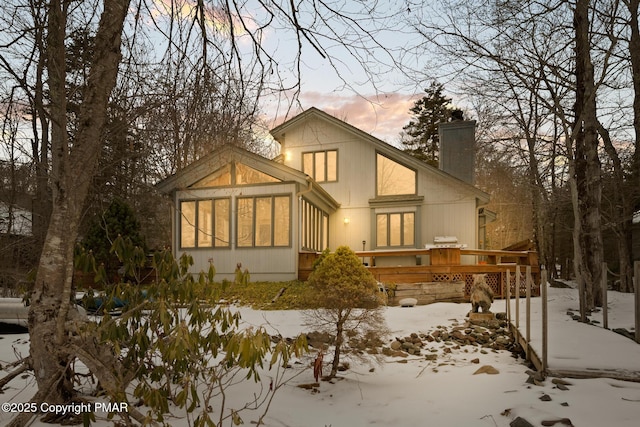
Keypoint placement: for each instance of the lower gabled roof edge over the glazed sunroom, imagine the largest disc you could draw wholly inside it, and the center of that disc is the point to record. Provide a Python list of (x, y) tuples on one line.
[(217, 159)]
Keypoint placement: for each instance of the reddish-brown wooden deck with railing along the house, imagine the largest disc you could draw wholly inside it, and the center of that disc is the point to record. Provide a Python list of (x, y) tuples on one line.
[(452, 265)]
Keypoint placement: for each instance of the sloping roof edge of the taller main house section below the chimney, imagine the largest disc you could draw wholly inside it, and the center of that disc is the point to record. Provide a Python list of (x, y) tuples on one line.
[(279, 132)]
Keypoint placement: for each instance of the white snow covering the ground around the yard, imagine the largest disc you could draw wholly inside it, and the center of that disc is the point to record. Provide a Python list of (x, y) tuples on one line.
[(415, 391)]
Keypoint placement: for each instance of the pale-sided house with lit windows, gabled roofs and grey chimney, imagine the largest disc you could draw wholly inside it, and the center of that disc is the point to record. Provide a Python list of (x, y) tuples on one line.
[(331, 185)]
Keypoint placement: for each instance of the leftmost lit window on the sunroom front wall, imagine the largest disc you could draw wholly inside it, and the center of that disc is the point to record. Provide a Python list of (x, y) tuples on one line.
[(204, 223)]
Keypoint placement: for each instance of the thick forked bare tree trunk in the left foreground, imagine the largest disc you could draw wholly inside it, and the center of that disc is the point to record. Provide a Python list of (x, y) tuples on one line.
[(72, 172)]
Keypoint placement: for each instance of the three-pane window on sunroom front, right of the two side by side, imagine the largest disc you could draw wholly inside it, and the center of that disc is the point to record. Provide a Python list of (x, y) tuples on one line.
[(264, 221)]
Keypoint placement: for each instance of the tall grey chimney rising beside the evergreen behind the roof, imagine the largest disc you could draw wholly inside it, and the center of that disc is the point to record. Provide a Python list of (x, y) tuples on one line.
[(457, 149)]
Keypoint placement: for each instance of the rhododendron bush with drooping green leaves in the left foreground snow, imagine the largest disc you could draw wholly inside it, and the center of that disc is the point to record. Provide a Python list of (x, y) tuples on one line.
[(175, 343)]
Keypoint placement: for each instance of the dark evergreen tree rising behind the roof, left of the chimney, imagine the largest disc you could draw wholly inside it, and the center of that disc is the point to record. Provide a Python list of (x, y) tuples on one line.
[(420, 137)]
